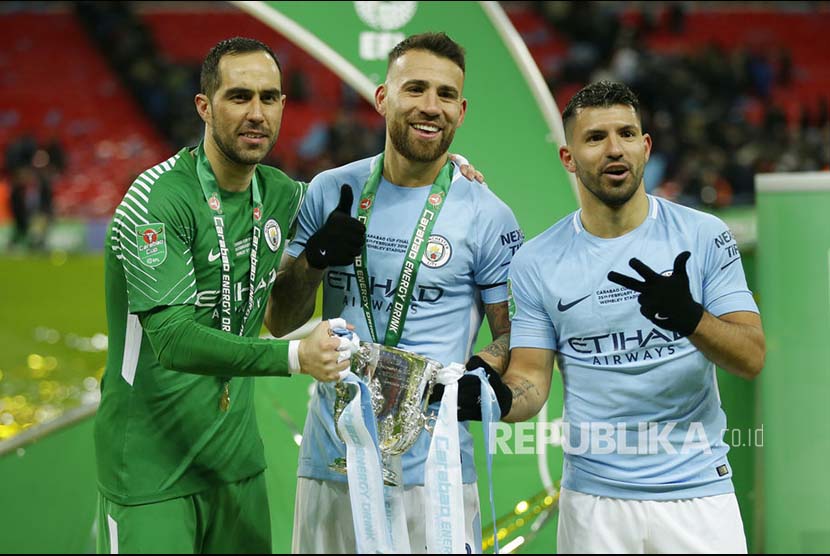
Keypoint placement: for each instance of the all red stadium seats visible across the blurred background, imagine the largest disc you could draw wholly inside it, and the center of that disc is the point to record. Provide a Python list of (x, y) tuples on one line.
[(54, 83)]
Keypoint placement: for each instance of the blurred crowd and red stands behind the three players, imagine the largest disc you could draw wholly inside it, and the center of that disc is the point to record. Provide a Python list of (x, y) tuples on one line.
[(728, 90)]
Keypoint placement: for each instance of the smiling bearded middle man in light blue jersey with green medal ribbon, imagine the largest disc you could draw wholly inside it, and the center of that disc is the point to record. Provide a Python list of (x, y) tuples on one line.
[(460, 277)]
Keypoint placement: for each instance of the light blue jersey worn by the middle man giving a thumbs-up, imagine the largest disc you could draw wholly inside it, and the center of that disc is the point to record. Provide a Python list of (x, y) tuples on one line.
[(464, 267)]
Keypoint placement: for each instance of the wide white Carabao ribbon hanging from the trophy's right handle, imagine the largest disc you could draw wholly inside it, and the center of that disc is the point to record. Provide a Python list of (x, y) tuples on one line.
[(444, 489)]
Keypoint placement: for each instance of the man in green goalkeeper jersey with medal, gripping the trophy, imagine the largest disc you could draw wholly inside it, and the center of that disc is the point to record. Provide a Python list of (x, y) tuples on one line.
[(191, 256)]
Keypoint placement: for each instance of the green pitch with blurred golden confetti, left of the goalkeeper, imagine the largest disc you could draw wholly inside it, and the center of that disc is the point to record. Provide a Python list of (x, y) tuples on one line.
[(53, 332)]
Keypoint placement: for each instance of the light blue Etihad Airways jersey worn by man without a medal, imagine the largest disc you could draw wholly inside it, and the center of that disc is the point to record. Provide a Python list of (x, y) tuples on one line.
[(642, 416)]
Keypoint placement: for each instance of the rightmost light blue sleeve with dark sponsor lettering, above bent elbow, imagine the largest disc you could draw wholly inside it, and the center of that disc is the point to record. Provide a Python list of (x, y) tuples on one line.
[(724, 284)]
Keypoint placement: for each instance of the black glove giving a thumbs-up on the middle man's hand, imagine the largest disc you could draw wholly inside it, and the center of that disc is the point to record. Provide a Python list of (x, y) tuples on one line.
[(340, 239)]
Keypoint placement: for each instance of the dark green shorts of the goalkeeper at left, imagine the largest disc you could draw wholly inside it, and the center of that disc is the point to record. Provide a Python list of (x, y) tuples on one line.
[(228, 519)]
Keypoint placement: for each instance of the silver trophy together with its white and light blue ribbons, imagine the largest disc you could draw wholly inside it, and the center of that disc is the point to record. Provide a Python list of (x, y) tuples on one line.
[(377, 507)]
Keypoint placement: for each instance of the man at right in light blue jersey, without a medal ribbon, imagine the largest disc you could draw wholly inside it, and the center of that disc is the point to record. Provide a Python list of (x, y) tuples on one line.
[(645, 465)]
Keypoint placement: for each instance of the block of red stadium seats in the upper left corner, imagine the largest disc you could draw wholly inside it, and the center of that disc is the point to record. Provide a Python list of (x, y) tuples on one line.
[(55, 84)]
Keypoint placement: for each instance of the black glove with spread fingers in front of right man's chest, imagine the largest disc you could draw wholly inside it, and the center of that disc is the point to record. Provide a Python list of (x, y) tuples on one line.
[(664, 300)]
